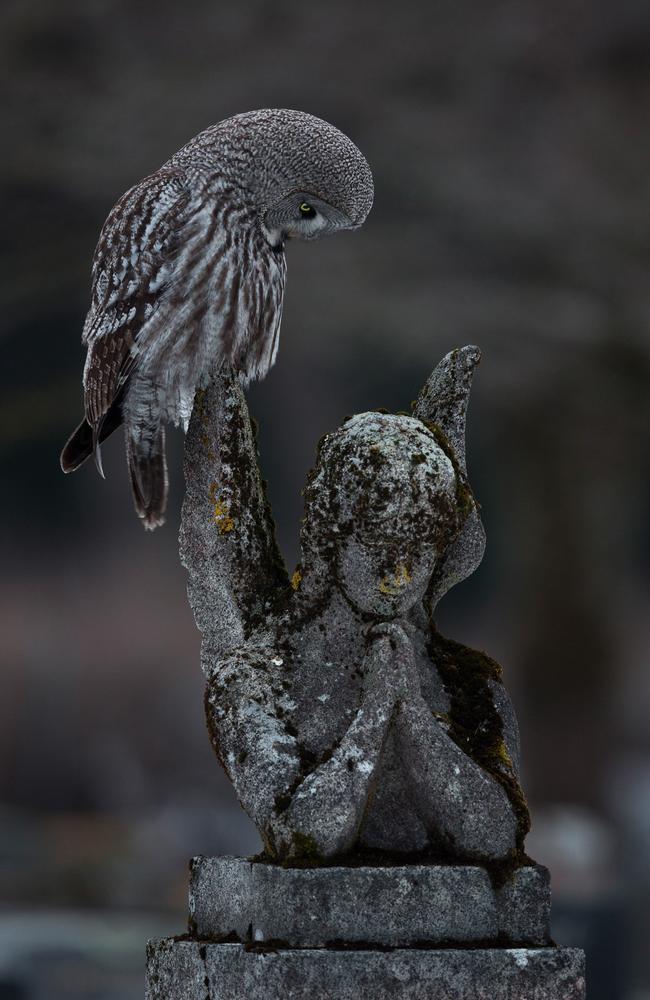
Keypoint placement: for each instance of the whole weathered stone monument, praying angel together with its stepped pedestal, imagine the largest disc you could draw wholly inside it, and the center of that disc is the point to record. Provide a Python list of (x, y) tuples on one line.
[(346, 722)]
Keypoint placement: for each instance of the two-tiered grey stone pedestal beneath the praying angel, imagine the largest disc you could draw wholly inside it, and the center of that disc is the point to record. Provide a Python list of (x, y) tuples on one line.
[(415, 932)]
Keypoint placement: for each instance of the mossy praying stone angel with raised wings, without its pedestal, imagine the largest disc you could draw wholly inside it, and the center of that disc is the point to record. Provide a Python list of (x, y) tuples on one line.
[(346, 722)]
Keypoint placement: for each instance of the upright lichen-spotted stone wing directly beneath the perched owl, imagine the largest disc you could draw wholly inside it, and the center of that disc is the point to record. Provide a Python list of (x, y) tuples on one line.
[(228, 546)]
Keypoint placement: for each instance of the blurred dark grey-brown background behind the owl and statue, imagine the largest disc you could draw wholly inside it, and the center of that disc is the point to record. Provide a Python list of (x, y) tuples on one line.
[(509, 143)]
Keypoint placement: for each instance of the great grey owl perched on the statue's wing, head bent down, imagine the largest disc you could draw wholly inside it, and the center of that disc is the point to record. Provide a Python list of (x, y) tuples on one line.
[(190, 270)]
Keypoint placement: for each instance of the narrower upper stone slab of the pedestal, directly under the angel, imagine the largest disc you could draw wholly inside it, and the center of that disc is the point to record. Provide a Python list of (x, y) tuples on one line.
[(392, 906)]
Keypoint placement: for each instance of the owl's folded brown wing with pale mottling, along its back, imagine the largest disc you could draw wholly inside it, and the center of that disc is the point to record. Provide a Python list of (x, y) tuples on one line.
[(133, 265)]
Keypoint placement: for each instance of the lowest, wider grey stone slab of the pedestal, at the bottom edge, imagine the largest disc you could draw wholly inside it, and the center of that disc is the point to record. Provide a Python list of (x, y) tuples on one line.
[(188, 970)]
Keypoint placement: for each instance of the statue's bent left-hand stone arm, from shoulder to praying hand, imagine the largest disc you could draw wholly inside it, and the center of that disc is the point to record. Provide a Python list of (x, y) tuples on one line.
[(299, 811)]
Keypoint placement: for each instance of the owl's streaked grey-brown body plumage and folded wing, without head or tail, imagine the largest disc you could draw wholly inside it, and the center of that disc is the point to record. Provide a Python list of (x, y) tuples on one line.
[(169, 300)]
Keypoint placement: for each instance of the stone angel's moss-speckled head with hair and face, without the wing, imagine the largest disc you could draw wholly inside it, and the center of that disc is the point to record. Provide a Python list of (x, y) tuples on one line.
[(390, 514)]
